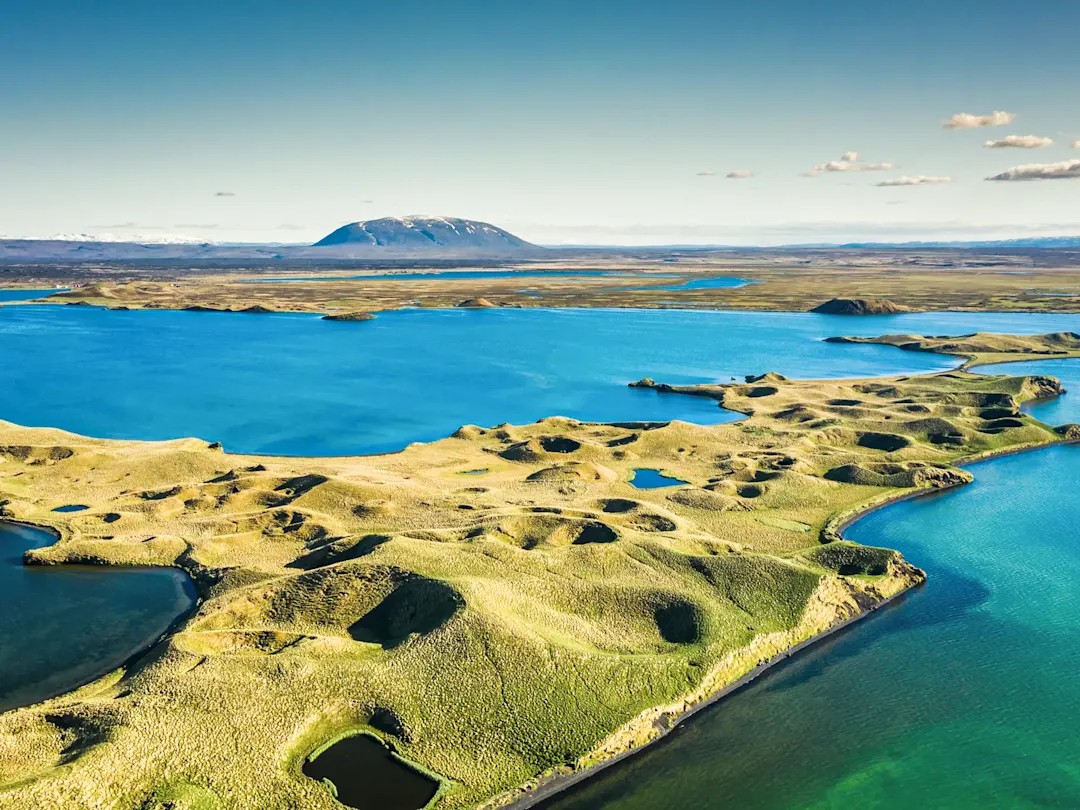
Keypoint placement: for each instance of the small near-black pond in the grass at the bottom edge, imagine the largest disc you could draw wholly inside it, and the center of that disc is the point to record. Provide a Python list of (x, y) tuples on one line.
[(367, 776)]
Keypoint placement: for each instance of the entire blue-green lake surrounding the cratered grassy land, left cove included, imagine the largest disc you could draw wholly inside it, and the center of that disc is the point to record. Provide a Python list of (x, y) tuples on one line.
[(963, 695)]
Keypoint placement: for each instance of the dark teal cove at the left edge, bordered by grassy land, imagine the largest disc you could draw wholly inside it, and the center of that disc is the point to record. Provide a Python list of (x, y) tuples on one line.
[(64, 627)]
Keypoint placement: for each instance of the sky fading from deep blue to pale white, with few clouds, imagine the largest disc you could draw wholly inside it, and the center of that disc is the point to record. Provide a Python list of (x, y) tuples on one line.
[(564, 123)]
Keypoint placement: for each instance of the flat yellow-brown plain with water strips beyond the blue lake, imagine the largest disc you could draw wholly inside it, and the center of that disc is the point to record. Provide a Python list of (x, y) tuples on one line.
[(1016, 280)]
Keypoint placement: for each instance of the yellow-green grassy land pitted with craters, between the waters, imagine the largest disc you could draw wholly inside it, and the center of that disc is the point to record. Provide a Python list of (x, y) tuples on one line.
[(493, 628)]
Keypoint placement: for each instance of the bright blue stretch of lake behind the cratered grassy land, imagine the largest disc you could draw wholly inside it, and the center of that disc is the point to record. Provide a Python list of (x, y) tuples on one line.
[(296, 385)]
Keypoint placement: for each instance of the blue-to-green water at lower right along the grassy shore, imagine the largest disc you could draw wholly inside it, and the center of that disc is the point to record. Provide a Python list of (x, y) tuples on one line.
[(963, 695)]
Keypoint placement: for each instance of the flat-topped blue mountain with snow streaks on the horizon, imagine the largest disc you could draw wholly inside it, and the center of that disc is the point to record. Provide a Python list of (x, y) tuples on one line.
[(443, 236)]
